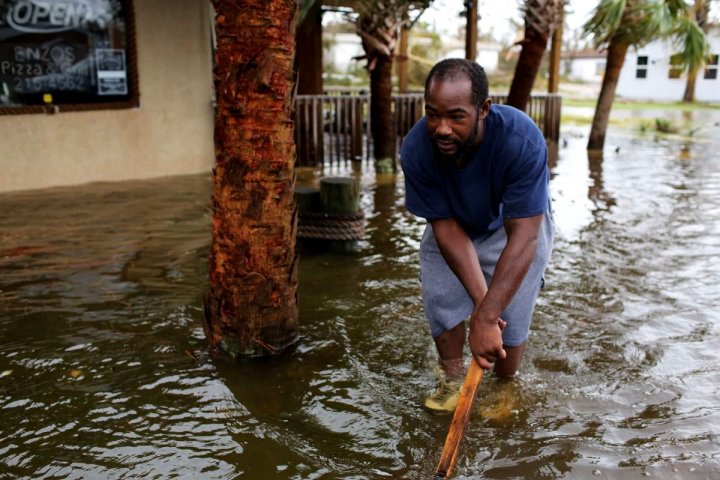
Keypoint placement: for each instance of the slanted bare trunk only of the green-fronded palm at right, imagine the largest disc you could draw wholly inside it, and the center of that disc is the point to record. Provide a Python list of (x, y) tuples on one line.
[(615, 60)]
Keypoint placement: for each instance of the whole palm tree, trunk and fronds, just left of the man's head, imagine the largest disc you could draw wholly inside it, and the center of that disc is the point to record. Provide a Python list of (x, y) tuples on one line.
[(378, 22)]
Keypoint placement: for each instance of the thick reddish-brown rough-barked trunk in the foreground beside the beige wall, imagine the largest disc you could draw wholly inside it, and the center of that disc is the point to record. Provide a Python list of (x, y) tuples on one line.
[(251, 308)]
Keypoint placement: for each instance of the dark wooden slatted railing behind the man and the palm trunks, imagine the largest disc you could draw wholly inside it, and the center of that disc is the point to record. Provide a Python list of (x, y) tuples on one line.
[(335, 127)]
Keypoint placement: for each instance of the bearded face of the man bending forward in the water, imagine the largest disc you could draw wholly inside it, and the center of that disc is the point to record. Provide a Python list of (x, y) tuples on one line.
[(454, 123)]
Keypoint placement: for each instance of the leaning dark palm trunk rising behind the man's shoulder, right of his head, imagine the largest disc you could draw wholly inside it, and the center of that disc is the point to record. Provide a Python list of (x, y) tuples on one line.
[(542, 17)]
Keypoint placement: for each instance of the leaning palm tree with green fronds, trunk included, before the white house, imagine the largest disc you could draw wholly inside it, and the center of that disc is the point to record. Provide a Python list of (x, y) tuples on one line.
[(618, 24)]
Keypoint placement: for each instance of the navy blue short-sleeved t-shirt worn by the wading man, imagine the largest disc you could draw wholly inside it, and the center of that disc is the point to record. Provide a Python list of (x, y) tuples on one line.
[(507, 177)]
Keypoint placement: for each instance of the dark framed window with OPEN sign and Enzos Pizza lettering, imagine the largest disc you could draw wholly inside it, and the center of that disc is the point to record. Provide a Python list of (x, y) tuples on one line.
[(66, 53)]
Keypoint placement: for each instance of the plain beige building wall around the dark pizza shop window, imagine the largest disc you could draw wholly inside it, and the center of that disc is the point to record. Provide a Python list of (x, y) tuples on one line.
[(170, 133)]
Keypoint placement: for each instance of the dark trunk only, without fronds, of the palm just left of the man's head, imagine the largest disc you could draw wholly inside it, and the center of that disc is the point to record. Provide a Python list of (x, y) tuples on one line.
[(382, 120)]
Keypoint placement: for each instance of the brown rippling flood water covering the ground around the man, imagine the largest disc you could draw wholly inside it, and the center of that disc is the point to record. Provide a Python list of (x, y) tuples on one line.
[(104, 371)]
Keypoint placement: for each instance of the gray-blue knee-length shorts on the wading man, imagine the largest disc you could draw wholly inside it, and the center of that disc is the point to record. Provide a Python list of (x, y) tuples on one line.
[(447, 303)]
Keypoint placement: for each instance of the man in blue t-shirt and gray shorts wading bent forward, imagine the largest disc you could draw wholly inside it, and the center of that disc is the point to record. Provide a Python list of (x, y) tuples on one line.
[(478, 174)]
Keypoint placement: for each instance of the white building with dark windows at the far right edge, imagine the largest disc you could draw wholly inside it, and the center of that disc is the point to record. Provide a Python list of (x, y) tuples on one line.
[(648, 73)]
